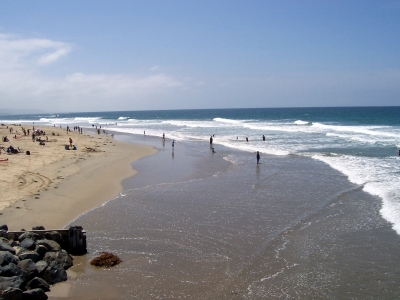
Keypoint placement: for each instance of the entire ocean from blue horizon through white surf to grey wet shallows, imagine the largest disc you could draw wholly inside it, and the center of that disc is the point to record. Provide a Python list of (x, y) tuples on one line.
[(319, 218)]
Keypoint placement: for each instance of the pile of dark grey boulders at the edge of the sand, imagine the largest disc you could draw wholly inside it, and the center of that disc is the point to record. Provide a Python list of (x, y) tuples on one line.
[(29, 264)]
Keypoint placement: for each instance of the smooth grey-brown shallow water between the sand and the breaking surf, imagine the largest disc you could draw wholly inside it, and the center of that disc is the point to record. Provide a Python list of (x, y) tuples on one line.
[(197, 225)]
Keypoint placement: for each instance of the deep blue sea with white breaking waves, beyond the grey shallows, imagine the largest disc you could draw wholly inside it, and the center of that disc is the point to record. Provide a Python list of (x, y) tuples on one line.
[(360, 142)]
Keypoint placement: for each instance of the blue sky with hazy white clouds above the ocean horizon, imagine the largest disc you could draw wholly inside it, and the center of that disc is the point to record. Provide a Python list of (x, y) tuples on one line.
[(77, 56)]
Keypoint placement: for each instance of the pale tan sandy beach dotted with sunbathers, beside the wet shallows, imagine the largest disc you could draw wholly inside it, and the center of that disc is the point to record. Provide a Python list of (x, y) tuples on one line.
[(52, 186)]
